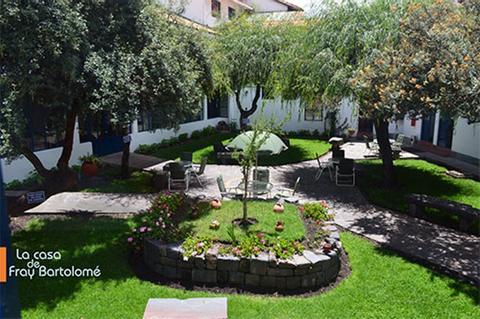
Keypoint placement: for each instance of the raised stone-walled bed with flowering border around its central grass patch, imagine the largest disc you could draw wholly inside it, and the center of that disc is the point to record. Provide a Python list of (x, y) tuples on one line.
[(253, 261)]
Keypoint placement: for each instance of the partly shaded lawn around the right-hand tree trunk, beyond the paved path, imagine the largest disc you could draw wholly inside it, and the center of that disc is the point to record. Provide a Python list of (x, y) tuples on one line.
[(418, 176)]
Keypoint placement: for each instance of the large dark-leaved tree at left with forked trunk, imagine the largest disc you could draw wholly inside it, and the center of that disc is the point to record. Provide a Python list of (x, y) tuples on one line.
[(66, 58)]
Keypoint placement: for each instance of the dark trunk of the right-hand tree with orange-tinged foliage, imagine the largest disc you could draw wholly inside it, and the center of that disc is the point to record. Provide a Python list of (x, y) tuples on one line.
[(381, 128)]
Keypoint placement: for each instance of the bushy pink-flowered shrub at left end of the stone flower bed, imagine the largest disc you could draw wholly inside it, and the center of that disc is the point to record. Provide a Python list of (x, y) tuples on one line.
[(159, 221)]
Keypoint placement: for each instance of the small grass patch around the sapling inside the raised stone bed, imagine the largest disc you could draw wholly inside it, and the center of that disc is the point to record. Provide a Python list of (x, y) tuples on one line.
[(260, 210)]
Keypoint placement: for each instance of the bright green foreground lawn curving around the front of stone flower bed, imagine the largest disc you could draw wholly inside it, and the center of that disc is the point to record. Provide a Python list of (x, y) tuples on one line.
[(381, 285)]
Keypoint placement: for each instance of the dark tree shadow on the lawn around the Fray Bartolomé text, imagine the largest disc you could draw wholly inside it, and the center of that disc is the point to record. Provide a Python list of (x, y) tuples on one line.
[(83, 243)]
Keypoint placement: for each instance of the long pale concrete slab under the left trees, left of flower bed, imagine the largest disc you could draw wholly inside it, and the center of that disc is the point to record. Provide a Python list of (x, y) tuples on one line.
[(99, 203)]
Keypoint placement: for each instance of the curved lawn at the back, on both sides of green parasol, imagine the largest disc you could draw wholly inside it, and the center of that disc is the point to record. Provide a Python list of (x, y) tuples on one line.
[(301, 149)]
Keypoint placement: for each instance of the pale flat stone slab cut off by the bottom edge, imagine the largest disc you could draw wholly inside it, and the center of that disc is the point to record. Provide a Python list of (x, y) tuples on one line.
[(194, 308)]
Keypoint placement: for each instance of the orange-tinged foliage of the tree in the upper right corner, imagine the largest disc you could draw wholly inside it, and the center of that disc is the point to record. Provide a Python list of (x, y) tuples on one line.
[(434, 66)]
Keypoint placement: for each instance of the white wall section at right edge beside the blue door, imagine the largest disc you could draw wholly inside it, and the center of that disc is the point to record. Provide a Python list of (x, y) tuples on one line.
[(466, 138)]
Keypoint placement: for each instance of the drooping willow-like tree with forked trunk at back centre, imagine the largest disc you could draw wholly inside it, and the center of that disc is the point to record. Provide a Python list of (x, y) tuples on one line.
[(245, 52)]
